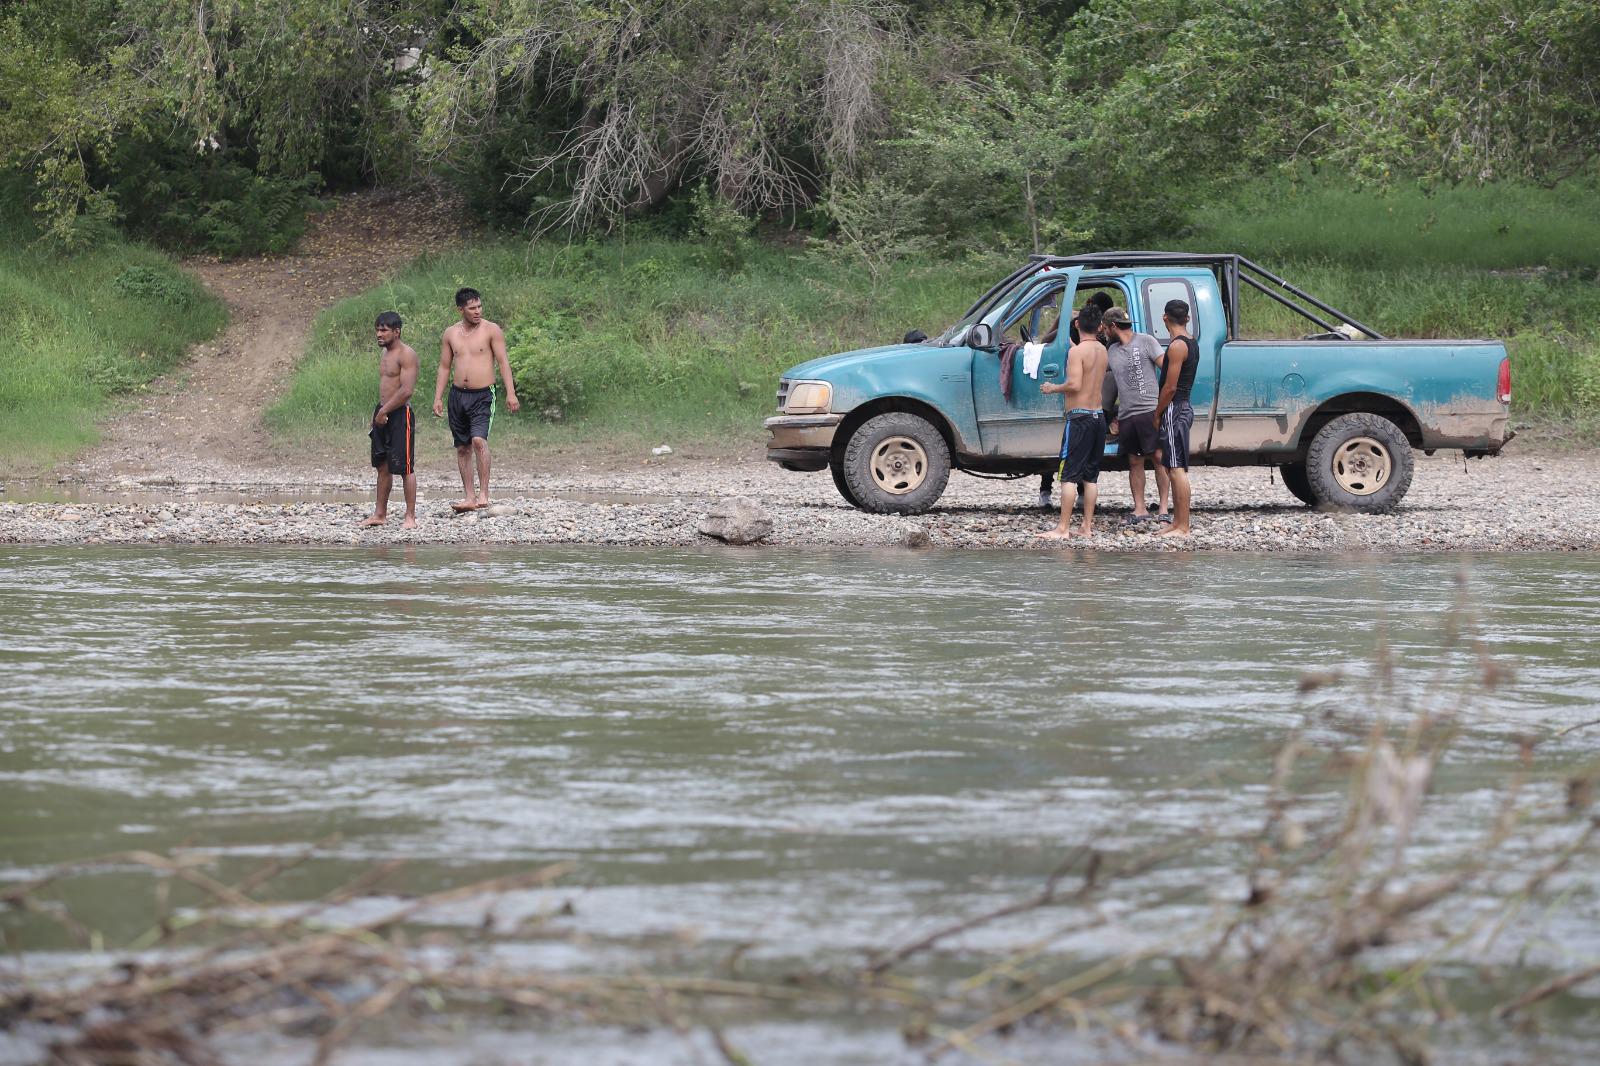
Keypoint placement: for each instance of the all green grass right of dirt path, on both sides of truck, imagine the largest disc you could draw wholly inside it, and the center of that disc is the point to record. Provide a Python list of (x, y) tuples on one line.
[(646, 342)]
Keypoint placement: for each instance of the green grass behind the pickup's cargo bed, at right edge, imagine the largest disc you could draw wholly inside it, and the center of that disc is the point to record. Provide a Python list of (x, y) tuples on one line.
[(1514, 263)]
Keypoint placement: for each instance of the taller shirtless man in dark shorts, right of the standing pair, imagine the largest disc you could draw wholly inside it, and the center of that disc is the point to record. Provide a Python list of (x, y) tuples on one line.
[(473, 348)]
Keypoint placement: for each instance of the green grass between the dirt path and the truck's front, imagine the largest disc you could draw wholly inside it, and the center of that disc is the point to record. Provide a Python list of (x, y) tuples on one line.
[(633, 343)]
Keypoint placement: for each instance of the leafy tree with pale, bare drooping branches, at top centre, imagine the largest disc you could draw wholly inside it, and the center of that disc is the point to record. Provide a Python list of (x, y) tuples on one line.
[(759, 97)]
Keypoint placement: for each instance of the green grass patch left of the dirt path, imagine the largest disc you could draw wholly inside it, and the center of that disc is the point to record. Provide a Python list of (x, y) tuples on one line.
[(78, 331)]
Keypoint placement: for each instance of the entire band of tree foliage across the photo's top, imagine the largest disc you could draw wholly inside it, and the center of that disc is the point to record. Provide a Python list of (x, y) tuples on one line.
[(1010, 122)]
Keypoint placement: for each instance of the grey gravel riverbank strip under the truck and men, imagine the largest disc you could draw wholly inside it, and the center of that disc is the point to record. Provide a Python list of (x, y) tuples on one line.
[(1514, 503)]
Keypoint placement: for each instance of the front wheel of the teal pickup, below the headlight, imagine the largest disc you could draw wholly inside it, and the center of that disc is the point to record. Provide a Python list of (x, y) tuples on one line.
[(897, 463)]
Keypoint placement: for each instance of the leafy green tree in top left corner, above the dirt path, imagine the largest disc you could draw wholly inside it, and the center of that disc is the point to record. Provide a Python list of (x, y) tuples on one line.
[(271, 84)]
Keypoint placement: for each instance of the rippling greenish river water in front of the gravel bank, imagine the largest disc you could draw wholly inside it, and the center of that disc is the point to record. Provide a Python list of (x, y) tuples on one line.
[(812, 753)]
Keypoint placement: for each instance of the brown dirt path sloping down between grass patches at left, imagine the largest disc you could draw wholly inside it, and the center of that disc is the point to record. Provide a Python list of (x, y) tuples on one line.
[(206, 422)]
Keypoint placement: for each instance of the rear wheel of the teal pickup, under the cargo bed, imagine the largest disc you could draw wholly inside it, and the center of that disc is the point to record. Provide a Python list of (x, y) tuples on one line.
[(1359, 463)]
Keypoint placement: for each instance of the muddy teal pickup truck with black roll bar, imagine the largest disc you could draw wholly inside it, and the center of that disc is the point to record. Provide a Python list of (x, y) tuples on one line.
[(1338, 412)]
